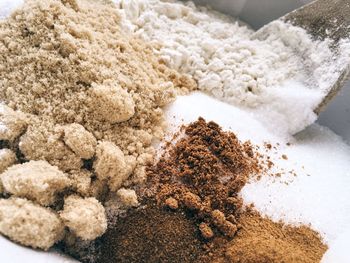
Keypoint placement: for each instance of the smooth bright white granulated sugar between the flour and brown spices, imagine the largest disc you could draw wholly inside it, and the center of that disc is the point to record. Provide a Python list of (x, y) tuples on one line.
[(319, 195)]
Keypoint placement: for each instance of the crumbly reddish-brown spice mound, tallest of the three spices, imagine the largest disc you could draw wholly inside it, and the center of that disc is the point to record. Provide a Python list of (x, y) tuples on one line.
[(202, 174)]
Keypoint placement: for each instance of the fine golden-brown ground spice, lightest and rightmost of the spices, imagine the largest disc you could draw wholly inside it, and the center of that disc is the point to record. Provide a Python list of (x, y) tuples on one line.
[(261, 240)]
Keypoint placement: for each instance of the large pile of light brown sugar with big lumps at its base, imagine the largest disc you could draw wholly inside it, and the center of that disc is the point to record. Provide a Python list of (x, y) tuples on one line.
[(80, 105)]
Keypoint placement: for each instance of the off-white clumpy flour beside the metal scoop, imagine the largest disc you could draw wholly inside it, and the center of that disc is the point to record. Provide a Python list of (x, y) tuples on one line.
[(281, 74)]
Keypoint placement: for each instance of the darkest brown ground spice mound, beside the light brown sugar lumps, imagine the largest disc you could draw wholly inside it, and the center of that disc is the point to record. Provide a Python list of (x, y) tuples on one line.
[(150, 235)]
